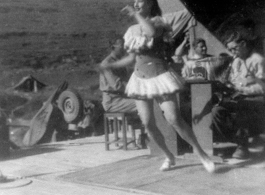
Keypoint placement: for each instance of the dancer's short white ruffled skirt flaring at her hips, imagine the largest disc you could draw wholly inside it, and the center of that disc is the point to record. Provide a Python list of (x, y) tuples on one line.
[(166, 83)]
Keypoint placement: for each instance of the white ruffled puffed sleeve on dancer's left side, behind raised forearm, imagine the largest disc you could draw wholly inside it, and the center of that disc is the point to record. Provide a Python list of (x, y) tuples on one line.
[(135, 40)]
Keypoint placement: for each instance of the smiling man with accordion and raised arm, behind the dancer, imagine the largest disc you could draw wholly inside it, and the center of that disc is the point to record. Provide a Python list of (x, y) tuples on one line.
[(197, 63)]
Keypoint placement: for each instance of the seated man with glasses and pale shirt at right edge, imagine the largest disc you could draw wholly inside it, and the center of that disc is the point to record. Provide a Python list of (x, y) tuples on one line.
[(245, 75)]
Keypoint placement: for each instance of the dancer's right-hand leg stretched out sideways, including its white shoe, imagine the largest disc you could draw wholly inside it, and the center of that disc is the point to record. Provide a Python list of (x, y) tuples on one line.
[(173, 116)]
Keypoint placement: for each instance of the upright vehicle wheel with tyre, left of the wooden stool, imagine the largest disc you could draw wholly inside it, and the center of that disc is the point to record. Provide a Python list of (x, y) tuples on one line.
[(71, 104)]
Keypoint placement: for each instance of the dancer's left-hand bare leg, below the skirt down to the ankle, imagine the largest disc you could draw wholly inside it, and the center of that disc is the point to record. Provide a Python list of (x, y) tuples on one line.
[(146, 112)]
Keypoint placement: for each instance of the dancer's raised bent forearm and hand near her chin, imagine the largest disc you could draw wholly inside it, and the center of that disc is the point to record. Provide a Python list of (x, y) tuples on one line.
[(146, 25)]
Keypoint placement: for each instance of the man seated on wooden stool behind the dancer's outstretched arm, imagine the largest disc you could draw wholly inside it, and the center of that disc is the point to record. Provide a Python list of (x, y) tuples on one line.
[(113, 82)]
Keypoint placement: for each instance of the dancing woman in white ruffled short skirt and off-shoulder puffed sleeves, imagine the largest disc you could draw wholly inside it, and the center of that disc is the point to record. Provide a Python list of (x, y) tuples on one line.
[(152, 79)]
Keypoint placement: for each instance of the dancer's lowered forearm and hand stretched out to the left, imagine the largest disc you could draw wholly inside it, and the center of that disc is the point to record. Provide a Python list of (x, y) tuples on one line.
[(126, 61)]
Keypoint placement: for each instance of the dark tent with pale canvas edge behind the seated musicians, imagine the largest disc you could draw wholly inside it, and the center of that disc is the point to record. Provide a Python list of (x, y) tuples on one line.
[(215, 17)]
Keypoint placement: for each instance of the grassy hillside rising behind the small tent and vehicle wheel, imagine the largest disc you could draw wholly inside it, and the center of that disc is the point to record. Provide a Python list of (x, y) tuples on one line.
[(57, 40)]
